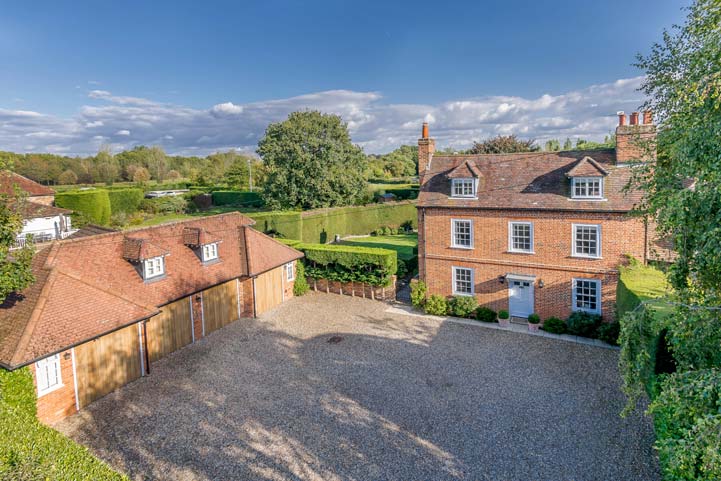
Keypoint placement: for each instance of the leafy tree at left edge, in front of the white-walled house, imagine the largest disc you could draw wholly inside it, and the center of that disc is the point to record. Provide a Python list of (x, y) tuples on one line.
[(15, 266)]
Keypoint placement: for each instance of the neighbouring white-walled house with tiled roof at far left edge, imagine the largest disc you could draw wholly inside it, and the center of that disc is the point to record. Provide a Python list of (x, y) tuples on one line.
[(42, 221)]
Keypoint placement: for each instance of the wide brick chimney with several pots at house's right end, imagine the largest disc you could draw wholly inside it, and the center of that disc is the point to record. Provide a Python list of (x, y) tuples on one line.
[(635, 142)]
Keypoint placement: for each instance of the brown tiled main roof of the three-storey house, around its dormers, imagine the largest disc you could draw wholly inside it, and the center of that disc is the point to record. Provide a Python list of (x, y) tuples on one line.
[(532, 180)]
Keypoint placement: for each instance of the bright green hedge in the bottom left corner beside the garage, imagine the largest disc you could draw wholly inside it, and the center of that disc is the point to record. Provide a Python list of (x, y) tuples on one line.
[(31, 450)]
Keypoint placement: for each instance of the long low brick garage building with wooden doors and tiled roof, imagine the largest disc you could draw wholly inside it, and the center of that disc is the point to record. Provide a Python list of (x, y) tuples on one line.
[(105, 307)]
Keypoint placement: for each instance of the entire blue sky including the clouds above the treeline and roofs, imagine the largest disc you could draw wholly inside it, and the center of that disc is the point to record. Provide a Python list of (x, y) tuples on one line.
[(199, 76)]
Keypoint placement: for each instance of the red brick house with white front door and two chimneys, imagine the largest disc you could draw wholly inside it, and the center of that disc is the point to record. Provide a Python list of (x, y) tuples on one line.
[(541, 232)]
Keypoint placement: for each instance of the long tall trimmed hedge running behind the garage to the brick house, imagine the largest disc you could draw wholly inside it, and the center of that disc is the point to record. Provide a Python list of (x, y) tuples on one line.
[(322, 225)]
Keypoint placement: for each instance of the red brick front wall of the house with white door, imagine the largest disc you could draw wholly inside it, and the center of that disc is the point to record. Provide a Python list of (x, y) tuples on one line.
[(552, 261)]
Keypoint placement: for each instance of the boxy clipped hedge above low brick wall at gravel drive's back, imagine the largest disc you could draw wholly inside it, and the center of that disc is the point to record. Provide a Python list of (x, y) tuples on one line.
[(345, 263)]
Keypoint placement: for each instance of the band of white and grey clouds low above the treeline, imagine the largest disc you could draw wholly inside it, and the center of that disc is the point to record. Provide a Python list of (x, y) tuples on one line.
[(376, 125)]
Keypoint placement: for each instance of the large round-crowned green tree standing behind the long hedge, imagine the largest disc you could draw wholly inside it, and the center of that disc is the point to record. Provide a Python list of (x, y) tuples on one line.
[(310, 162)]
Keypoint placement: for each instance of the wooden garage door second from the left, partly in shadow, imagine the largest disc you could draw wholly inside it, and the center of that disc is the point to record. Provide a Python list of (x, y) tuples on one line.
[(170, 330)]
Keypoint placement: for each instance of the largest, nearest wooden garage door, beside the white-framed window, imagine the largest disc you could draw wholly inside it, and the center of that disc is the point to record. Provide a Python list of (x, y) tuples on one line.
[(107, 363)]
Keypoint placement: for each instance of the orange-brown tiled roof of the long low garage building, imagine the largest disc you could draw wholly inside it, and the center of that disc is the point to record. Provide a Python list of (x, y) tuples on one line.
[(85, 287)]
